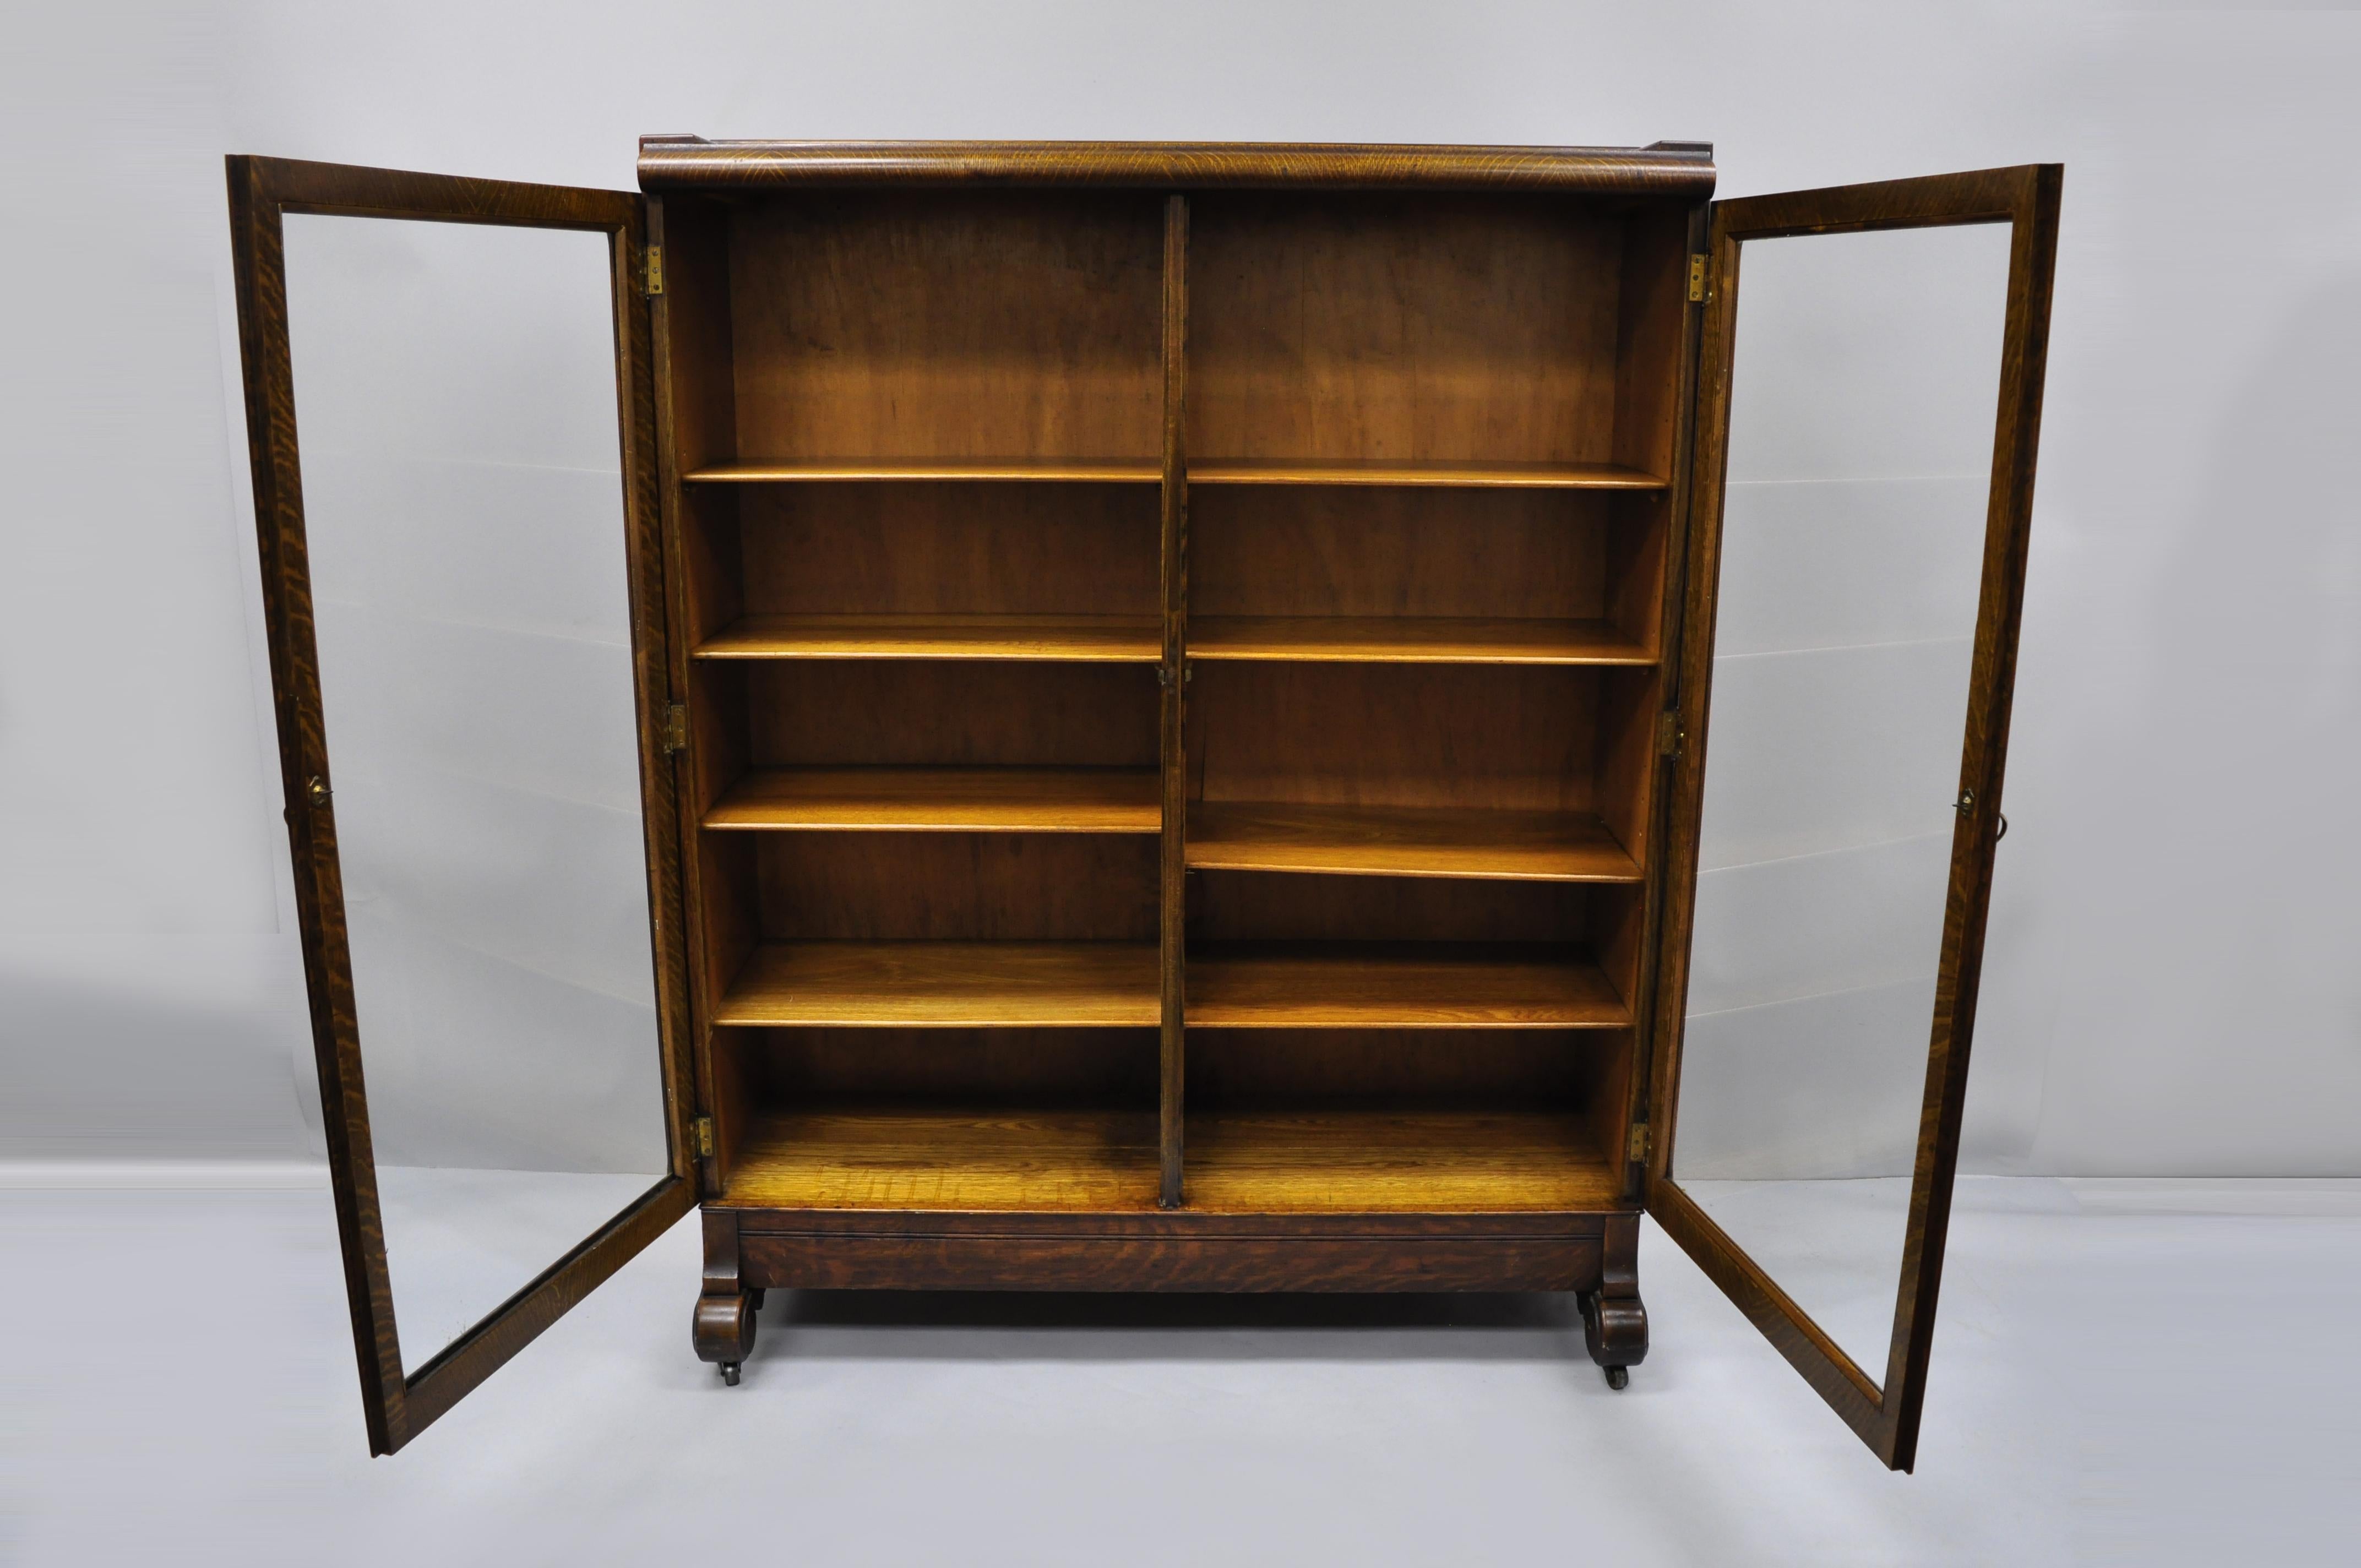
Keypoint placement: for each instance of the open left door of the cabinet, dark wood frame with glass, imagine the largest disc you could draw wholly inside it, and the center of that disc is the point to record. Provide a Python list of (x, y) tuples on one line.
[(466, 622)]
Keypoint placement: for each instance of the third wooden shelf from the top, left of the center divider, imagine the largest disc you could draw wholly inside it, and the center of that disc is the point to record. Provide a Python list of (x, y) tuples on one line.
[(946, 799)]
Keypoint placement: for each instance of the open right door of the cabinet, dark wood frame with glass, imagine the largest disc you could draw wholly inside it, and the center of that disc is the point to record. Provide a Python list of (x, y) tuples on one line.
[(1857, 561)]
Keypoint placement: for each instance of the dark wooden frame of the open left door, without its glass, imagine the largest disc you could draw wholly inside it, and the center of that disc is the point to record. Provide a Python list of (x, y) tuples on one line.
[(261, 192)]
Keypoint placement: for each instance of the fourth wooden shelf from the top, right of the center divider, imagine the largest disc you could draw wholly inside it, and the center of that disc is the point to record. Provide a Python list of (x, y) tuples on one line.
[(1401, 988)]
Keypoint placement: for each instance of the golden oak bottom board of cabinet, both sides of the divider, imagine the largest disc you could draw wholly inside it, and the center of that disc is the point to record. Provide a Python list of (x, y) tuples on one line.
[(1099, 1161)]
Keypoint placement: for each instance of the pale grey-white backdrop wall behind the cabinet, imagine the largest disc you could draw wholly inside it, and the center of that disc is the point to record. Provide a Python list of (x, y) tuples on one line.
[(2171, 984)]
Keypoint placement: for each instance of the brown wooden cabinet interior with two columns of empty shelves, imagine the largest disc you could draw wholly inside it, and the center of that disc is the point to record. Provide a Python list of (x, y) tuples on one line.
[(920, 447)]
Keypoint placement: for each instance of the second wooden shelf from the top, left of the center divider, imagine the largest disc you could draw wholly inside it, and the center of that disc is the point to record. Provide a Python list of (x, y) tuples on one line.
[(1045, 639)]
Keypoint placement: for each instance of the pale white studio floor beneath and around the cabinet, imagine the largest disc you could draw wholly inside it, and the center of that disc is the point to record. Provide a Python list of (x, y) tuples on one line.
[(2126, 1373)]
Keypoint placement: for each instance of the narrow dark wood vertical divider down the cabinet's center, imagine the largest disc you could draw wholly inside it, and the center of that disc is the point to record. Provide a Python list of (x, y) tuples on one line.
[(1172, 677)]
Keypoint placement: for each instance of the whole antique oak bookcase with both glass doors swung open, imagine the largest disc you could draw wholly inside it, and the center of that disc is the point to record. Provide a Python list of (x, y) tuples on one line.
[(1144, 719)]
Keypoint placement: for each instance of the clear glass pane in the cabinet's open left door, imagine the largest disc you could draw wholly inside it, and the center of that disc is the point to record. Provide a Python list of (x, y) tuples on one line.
[(462, 478)]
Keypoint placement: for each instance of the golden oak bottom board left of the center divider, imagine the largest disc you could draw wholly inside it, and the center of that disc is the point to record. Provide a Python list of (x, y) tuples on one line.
[(946, 1158)]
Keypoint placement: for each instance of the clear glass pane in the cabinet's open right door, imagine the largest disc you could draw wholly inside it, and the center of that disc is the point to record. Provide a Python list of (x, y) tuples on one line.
[(1864, 398)]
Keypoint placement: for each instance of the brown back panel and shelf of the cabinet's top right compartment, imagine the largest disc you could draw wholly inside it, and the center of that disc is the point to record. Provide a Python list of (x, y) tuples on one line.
[(1338, 332)]
